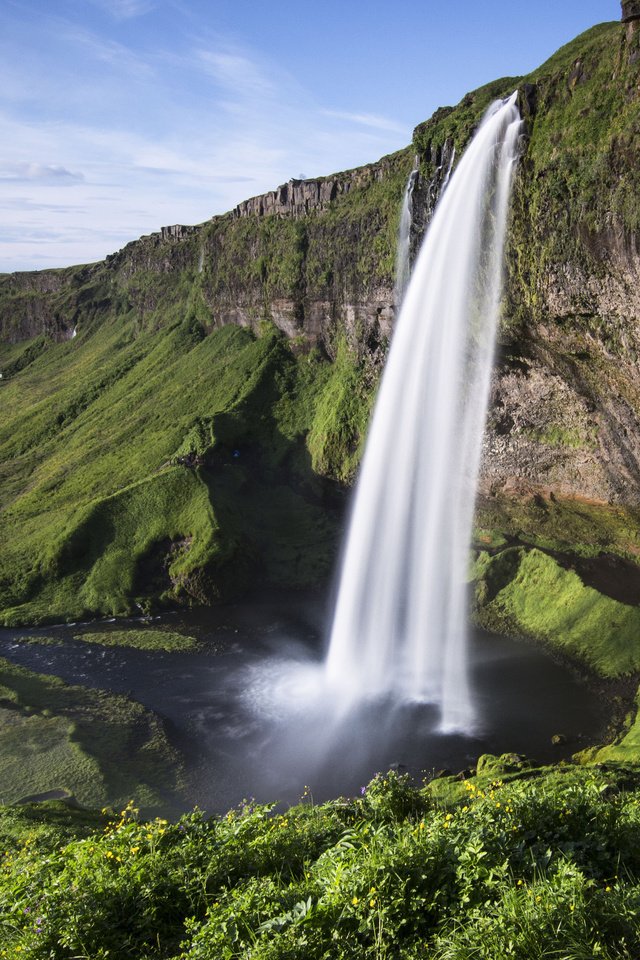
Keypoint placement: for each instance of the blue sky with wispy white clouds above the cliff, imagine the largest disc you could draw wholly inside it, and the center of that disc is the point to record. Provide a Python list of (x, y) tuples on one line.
[(120, 116)]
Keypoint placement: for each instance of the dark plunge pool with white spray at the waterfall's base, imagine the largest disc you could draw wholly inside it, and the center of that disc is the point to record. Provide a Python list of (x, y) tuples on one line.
[(246, 712)]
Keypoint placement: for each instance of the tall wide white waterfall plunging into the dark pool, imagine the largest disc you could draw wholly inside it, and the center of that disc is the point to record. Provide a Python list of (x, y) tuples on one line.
[(399, 626)]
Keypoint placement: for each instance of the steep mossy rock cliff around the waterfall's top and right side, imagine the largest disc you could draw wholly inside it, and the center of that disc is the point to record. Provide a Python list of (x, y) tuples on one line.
[(566, 388)]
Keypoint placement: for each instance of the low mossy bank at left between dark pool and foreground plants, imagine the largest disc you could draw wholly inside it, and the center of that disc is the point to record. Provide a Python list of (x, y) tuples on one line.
[(98, 747)]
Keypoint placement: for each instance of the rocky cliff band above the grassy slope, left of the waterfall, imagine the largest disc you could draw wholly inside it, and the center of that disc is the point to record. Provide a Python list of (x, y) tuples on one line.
[(316, 257)]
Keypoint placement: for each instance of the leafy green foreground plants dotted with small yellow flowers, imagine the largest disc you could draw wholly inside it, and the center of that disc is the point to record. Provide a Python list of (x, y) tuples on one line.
[(528, 864)]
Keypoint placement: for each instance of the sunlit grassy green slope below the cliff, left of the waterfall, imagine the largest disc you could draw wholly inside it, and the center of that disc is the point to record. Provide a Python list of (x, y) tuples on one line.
[(166, 463)]
